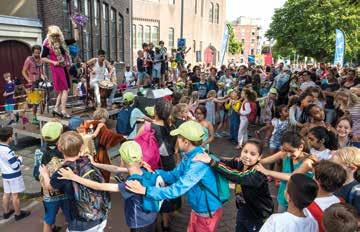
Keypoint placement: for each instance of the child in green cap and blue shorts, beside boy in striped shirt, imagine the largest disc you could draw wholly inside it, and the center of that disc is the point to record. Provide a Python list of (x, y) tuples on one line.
[(53, 159)]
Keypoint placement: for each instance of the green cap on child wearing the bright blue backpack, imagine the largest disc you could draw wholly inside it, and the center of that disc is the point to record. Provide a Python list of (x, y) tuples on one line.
[(130, 152)]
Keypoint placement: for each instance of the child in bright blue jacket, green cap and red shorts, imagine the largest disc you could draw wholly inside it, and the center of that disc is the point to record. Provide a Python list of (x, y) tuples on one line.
[(195, 179)]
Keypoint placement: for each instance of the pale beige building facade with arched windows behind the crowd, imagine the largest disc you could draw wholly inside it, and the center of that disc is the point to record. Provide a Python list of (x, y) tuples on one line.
[(203, 29)]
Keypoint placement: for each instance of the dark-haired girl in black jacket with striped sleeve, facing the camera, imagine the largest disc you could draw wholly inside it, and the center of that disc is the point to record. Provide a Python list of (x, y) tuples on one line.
[(253, 199)]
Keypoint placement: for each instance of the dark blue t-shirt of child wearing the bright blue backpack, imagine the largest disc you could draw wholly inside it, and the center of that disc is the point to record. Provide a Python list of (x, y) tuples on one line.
[(135, 216)]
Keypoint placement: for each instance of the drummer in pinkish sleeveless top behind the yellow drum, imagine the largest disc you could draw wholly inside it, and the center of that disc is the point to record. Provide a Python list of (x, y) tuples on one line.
[(33, 72)]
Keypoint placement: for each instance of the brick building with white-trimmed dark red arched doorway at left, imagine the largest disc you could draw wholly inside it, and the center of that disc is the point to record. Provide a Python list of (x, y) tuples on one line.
[(24, 23)]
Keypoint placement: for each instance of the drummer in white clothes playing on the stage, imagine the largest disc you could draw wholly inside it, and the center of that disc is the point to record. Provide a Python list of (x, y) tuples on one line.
[(100, 71)]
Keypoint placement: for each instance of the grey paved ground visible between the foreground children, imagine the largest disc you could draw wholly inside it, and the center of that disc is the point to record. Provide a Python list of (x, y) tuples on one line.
[(116, 221)]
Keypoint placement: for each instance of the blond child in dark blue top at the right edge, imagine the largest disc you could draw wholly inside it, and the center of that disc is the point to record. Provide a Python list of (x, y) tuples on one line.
[(349, 159)]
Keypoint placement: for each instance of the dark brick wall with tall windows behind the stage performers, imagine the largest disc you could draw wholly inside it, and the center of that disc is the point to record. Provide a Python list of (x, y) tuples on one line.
[(108, 25)]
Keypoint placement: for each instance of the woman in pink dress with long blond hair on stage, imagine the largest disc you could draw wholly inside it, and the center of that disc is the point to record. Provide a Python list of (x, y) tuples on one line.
[(56, 54)]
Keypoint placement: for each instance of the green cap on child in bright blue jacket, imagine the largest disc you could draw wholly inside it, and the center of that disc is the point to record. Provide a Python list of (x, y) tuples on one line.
[(190, 130)]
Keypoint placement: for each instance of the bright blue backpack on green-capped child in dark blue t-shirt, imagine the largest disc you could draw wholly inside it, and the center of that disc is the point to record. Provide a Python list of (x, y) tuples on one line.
[(150, 179)]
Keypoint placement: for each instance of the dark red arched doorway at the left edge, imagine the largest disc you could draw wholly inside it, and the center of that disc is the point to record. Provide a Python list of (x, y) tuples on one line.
[(13, 55)]
